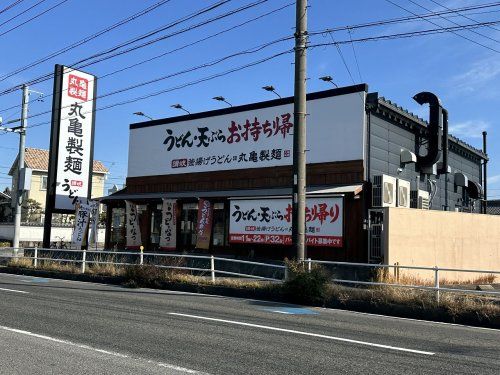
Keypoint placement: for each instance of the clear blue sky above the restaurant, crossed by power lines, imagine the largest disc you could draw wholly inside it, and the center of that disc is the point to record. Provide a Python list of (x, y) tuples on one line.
[(463, 70)]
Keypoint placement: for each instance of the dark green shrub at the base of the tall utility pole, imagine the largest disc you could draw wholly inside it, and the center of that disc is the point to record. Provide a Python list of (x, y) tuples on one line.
[(306, 287)]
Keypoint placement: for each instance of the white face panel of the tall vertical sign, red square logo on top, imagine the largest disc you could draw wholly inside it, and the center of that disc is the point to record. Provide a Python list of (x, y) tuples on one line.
[(73, 178)]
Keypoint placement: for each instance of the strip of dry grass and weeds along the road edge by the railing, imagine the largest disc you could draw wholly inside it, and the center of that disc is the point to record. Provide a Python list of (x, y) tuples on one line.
[(314, 288)]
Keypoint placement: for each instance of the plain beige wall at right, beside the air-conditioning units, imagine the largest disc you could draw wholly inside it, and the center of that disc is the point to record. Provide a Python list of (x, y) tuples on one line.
[(443, 239)]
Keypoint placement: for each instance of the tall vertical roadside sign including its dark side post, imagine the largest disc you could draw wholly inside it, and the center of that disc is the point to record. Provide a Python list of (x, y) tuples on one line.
[(71, 143)]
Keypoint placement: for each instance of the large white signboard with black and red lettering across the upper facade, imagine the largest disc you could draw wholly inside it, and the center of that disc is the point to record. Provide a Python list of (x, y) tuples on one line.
[(250, 139)]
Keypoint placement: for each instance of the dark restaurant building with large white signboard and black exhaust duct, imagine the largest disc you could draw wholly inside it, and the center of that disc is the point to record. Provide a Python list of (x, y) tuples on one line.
[(220, 181)]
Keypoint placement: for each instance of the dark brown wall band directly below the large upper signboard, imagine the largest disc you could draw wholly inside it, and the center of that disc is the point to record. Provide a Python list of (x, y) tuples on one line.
[(348, 172)]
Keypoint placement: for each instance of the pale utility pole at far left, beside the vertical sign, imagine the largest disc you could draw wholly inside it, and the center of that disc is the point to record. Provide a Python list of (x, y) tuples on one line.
[(19, 192)]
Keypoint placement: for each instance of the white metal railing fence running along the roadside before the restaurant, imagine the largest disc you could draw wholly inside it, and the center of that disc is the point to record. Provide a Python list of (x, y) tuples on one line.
[(354, 274)]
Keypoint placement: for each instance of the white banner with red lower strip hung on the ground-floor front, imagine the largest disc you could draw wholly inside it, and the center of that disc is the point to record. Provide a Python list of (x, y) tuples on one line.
[(269, 221)]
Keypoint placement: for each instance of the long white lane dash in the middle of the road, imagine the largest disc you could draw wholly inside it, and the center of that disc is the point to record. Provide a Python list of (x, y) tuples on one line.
[(306, 334)]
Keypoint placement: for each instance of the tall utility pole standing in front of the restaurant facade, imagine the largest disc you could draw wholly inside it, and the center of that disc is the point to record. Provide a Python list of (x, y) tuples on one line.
[(299, 132)]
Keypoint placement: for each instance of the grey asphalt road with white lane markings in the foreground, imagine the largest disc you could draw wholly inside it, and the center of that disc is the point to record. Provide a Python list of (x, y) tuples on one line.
[(65, 327)]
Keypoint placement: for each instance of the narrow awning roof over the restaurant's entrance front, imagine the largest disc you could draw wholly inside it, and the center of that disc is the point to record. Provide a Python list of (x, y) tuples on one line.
[(311, 191)]
